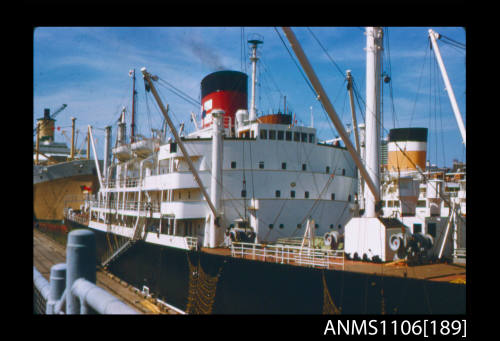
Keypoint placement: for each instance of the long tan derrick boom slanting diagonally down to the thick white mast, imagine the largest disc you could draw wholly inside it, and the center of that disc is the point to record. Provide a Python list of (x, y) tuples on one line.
[(329, 109)]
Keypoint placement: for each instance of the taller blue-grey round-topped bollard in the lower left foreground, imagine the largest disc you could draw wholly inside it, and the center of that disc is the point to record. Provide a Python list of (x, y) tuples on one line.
[(81, 263)]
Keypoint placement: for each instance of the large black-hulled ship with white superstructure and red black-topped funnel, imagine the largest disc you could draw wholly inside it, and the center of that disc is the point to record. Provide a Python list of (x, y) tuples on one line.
[(224, 220)]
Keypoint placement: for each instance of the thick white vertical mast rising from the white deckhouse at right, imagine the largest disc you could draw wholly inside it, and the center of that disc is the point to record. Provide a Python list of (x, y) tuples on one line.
[(372, 132)]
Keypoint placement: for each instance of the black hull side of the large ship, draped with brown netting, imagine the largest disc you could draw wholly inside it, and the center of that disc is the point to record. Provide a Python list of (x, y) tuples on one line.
[(255, 287)]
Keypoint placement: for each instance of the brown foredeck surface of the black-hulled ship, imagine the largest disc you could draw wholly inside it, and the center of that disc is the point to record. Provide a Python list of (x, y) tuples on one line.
[(434, 272)]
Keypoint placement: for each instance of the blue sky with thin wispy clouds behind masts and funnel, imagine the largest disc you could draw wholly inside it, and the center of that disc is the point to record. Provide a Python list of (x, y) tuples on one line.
[(87, 68)]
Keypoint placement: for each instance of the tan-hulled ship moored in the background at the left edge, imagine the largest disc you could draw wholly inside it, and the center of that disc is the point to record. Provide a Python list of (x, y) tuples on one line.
[(62, 176)]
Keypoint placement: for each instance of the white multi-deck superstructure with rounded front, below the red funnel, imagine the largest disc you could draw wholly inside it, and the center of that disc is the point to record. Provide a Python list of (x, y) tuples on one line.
[(288, 176)]
